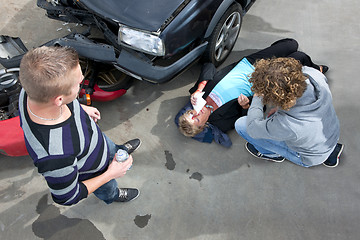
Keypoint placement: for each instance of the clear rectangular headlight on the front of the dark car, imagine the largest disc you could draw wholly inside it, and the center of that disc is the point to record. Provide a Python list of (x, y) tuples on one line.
[(141, 40)]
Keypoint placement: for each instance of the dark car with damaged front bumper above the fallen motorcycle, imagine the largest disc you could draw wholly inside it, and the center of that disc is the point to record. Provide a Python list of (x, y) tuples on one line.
[(152, 40)]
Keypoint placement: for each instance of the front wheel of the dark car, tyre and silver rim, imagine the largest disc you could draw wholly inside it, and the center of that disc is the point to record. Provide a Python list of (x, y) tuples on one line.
[(224, 36)]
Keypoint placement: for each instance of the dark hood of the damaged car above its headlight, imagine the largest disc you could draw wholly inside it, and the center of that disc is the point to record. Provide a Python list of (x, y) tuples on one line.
[(147, 15)]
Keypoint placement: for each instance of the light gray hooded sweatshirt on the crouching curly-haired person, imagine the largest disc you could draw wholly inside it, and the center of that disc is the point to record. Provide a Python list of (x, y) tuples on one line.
[(310, 127)]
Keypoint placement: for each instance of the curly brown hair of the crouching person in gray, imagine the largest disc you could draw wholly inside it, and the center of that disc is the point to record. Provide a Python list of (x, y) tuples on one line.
[(279, 80)]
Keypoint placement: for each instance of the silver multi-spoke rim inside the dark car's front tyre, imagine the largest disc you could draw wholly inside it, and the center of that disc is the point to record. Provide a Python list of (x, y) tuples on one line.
[(227, 36)]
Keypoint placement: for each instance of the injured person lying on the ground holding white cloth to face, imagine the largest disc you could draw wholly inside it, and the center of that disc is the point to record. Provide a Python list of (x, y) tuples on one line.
[(227, 93)]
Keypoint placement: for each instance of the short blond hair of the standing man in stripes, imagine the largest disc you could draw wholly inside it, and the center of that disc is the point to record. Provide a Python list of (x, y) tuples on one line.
[(44, 72)]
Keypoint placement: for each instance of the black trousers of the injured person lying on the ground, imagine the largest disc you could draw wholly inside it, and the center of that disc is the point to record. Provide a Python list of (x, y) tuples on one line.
[(283, 48)]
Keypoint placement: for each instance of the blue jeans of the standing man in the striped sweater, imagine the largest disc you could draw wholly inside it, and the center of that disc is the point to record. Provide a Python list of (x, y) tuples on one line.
[(109, 191)]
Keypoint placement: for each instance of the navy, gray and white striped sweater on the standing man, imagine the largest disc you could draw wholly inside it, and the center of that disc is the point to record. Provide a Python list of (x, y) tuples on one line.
[(66, 153)]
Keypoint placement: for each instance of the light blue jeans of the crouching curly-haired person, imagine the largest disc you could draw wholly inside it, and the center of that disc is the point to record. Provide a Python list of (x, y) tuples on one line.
[(267, 146)]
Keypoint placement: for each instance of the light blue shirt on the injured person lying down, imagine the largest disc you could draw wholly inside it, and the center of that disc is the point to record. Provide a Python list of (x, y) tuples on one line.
[(236, 82)]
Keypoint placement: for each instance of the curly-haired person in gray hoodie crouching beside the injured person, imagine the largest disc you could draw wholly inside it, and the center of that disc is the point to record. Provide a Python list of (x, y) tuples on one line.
[(303, 127)]
